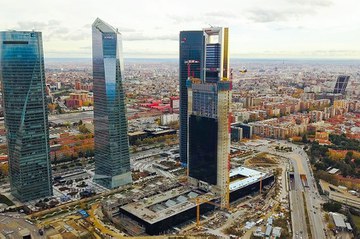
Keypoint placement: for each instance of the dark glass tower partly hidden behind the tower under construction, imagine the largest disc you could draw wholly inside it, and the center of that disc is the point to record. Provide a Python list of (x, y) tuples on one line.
[(191, 48)]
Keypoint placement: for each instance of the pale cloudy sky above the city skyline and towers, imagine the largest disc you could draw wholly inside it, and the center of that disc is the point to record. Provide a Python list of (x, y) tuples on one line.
[(150, 28)]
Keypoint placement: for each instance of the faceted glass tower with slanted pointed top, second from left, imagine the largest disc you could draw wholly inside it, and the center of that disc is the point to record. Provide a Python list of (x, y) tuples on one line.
[(112, 160)]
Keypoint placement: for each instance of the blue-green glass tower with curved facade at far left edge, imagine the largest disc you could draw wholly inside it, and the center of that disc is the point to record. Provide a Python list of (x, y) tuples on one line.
[(23, 82)]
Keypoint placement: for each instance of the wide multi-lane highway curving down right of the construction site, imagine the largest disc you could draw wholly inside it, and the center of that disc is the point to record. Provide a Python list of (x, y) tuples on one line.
[(313, 200)]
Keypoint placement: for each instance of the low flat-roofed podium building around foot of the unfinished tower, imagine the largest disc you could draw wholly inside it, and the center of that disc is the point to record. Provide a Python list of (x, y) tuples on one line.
[(166, 211)]
